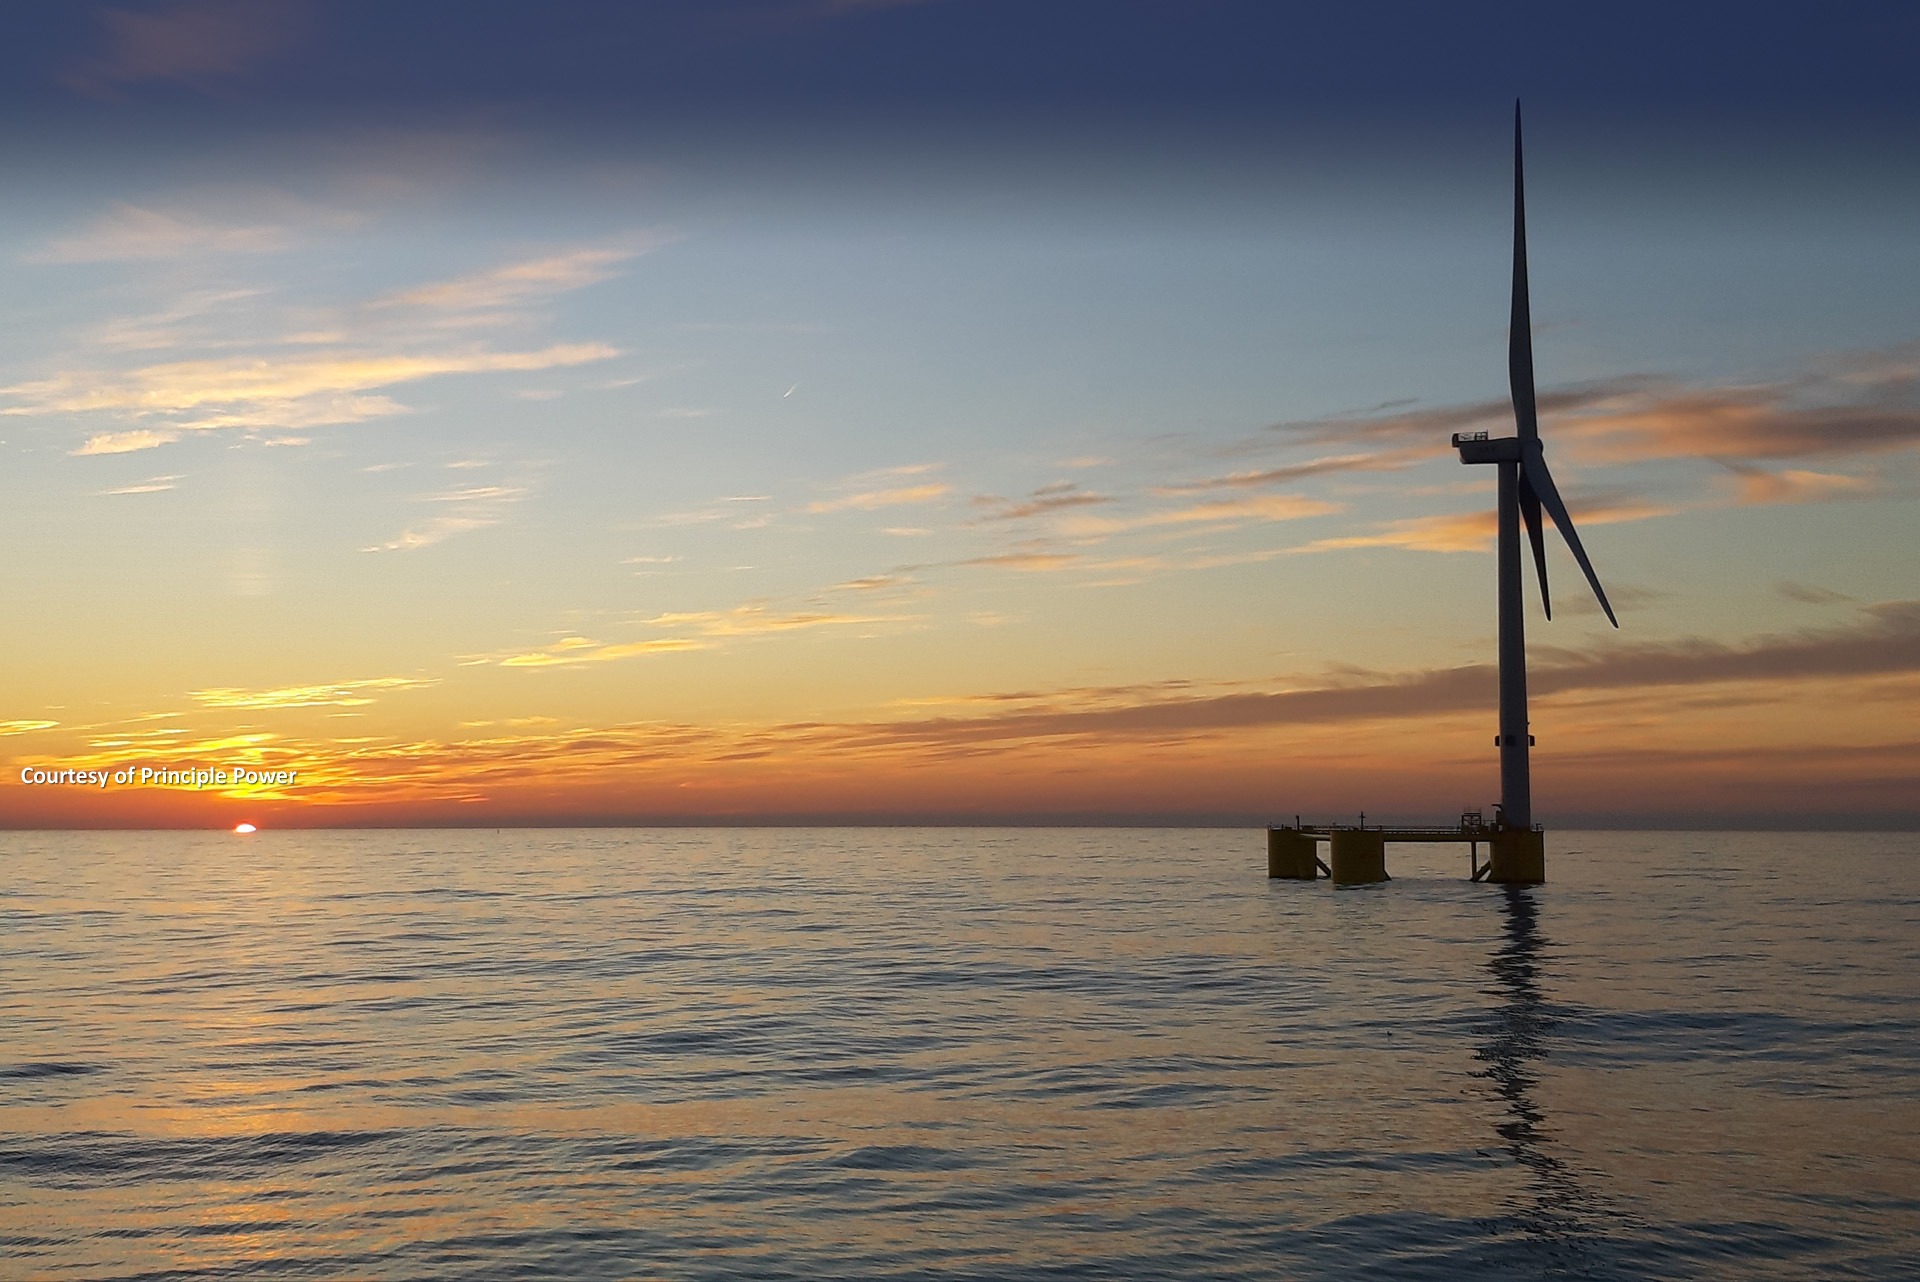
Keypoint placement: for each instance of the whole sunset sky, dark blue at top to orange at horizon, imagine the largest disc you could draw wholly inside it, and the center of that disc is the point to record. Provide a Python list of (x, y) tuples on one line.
[(949, 410)]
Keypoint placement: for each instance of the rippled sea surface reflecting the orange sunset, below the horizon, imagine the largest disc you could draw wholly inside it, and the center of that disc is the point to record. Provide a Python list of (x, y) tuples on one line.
[(953, 1055)]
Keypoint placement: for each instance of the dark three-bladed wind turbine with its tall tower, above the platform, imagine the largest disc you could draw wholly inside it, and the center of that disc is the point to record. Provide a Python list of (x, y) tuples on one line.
[(1525, 488)]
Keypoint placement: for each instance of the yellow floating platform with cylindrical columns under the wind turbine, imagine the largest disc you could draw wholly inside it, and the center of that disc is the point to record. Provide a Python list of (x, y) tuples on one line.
[(1356, 855)]
